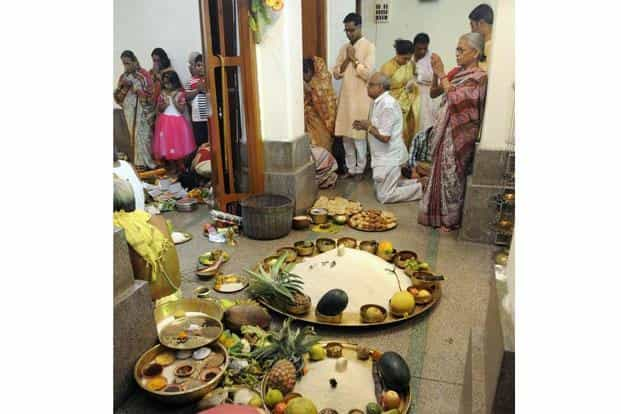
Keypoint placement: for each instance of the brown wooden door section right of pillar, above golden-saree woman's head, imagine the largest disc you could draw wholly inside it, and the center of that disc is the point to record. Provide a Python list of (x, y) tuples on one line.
[(314, 28)]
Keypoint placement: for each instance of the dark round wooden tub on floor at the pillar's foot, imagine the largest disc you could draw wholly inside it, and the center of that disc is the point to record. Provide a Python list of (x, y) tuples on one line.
[(267, 216)]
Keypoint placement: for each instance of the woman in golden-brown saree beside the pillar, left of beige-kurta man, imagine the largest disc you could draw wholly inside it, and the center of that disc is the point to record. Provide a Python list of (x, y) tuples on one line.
[(319, 119)]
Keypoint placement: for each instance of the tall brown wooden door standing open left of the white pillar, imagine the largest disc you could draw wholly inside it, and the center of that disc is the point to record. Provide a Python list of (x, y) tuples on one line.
[(234, 128)]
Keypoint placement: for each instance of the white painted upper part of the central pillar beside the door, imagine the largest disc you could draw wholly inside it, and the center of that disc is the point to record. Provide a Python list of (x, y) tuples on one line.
[(279, 74)]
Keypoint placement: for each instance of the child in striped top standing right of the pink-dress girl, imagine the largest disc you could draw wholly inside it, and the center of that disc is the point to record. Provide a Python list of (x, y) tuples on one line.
[(198, 99)]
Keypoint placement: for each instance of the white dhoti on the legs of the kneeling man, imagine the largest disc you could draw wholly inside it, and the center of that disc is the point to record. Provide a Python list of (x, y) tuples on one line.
[(390, 187)]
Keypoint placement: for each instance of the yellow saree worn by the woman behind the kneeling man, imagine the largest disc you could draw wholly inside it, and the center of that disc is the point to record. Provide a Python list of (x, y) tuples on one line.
[(400, 76)]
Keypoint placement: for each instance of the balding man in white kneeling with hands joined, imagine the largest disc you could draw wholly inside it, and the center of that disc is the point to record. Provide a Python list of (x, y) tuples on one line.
[(388, 152)]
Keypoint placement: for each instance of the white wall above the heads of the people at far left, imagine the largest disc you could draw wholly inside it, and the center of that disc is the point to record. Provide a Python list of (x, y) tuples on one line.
[(143, 25)]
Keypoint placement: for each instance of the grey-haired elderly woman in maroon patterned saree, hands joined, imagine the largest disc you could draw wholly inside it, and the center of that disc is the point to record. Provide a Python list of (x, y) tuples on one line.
[(454, 134)]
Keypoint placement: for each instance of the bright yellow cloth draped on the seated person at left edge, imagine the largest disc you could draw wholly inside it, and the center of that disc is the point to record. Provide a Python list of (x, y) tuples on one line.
[(145, 239)]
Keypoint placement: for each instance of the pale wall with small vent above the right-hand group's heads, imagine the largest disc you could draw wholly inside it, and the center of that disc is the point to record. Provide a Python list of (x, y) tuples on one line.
[(443, 20)]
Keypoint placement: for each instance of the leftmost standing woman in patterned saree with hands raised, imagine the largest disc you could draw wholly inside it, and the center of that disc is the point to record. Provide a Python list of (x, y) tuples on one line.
[(134, 93)]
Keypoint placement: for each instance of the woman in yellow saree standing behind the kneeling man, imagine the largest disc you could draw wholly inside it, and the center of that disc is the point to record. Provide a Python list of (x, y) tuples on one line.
[(402, 74)]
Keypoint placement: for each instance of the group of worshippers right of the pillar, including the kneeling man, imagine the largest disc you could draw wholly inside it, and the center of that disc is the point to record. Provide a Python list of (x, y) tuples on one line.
[(391, 113)]
